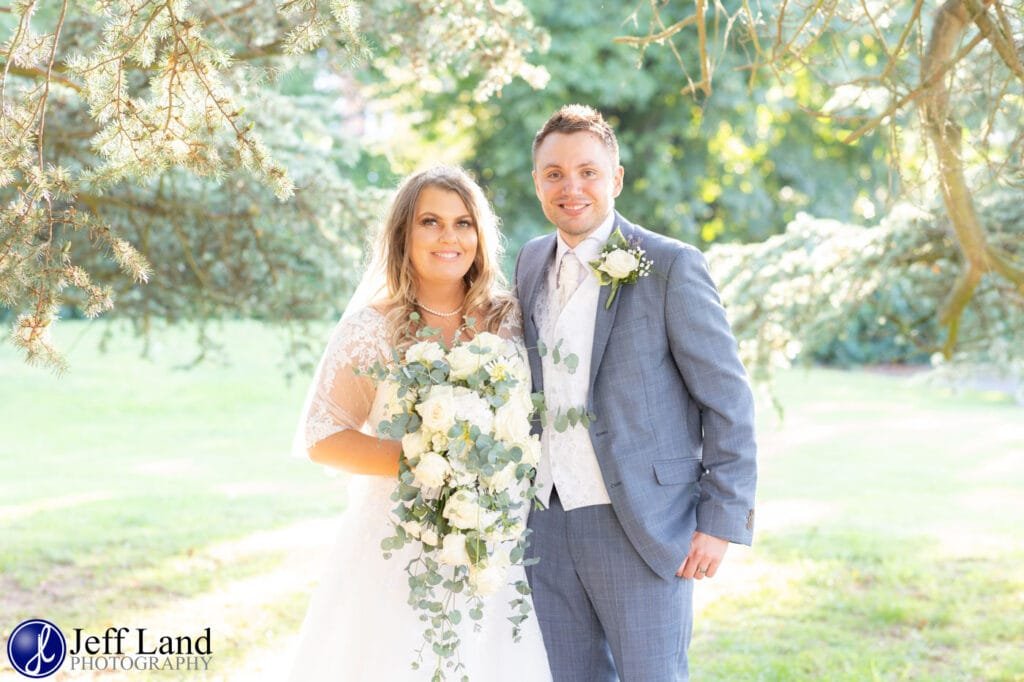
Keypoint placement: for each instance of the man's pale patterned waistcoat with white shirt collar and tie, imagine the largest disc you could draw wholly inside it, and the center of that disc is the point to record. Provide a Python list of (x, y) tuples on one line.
[(568, 459)]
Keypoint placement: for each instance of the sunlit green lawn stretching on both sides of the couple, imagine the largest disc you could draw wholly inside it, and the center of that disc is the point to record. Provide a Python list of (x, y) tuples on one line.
[(133, 493)]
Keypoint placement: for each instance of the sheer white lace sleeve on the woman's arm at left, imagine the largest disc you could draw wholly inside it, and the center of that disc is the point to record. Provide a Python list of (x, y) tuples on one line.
[(340, 398)]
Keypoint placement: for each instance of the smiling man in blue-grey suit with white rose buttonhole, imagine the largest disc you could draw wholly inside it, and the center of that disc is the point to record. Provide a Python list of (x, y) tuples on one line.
[(651, 494)]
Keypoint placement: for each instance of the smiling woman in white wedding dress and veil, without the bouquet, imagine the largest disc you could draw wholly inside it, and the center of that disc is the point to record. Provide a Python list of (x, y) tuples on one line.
[(439, 257)]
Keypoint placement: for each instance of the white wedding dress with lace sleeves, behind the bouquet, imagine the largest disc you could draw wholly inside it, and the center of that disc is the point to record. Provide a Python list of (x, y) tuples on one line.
[(360, 626)]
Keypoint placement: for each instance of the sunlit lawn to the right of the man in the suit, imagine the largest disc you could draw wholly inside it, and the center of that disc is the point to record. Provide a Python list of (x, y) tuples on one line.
[(889, 544)]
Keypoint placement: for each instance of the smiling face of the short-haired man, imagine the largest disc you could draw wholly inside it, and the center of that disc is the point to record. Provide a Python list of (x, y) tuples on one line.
[(577, 181)]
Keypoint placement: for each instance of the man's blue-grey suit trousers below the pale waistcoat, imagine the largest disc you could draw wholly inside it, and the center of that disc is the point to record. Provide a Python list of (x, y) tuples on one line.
[(605, 615)]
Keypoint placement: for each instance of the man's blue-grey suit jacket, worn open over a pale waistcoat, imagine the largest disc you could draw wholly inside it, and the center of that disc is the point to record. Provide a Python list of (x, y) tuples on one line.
[(674, 428)]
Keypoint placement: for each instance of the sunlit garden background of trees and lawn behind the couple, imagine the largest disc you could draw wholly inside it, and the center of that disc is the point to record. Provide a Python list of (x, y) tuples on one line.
[(854, 173)]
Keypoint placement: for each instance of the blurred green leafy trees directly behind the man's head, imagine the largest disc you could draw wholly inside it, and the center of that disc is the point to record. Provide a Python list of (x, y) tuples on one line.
[(737, 167)]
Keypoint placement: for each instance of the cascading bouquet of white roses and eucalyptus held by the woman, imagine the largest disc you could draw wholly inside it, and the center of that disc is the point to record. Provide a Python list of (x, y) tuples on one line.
[(464, 488)]
